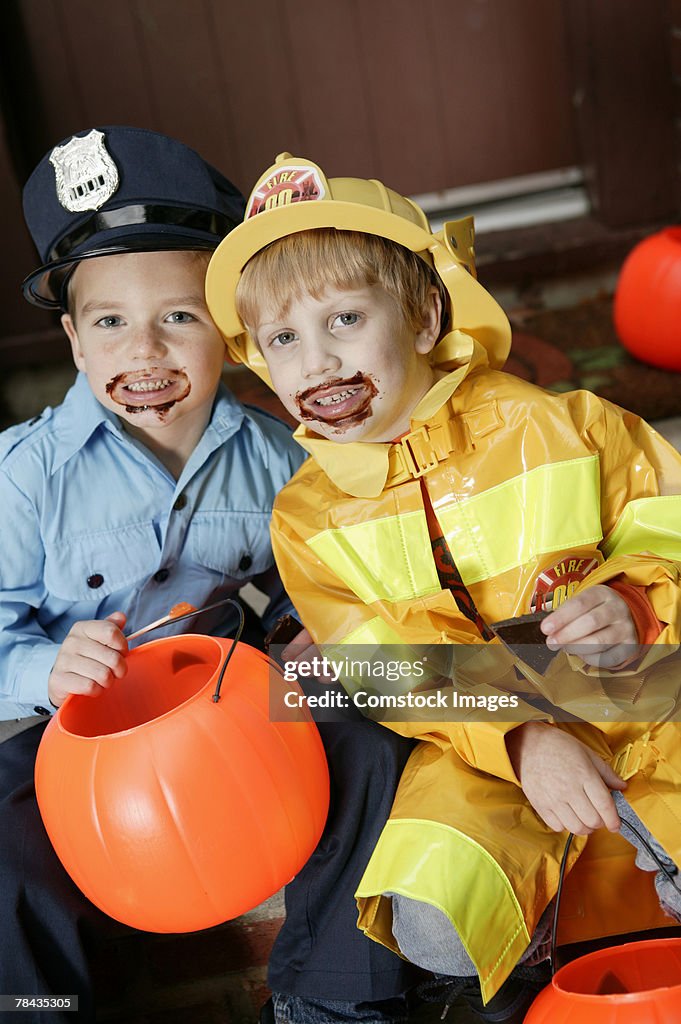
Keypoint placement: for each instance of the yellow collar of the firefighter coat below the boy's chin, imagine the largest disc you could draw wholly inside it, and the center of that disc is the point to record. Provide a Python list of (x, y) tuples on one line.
[(361, 468)]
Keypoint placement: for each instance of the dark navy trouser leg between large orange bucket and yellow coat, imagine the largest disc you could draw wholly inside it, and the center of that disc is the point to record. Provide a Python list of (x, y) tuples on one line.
[(320, 953)]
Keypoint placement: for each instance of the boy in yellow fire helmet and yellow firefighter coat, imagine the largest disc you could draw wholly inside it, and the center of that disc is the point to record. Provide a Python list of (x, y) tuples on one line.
[(443, 496)]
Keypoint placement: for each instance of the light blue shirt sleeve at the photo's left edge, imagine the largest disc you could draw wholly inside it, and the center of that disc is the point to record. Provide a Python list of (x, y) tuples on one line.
[(27, 655)]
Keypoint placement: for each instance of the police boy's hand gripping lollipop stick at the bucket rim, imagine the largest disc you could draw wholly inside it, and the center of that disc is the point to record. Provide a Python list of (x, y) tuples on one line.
[(92, 657)]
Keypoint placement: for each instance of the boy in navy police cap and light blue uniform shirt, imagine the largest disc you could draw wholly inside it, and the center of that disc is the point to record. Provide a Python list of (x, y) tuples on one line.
[(150, 484)]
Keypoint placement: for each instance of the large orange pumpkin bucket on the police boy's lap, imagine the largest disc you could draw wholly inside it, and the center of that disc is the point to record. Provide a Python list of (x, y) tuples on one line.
[(174, 812)]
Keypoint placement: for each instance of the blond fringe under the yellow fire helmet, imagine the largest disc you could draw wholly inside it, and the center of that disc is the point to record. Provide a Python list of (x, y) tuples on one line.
[(308, 263)]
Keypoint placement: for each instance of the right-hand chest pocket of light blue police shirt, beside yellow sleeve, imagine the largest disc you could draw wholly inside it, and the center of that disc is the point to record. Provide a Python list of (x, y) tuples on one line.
[(235, 544)]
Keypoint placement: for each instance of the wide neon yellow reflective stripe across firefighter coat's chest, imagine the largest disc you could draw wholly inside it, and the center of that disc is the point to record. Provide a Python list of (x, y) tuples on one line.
[(549, 508)]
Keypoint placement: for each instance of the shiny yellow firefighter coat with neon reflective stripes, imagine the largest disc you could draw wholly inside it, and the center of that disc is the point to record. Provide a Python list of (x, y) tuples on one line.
[(522, 481)]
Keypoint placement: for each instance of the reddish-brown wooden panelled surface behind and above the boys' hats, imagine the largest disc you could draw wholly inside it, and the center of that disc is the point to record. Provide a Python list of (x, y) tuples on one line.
[(427, 95)]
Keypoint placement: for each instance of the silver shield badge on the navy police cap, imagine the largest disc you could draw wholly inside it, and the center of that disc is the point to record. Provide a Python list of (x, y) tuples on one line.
[(87, 176)]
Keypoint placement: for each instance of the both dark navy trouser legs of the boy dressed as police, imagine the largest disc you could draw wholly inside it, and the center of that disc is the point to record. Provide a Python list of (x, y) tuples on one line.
[(49, 928)]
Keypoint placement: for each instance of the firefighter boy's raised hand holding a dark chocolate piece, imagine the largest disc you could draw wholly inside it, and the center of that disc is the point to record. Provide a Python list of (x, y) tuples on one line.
[(600, 619)]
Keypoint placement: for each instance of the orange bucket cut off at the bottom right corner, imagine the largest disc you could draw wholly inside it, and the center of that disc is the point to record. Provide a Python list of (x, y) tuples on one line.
[(636, 984)]
